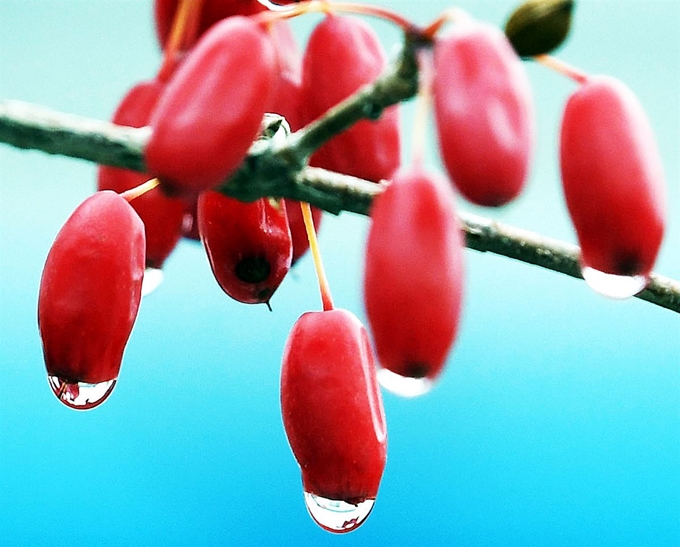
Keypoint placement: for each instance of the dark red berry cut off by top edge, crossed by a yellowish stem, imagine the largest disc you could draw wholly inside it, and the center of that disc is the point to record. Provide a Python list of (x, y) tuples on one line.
[(212, 11)]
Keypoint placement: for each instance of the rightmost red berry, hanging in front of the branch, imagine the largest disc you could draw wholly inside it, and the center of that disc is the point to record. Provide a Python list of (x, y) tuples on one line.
[(613, 178)]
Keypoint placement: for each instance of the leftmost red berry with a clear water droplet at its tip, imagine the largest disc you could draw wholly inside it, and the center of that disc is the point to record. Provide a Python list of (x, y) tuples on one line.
[(89, 296)]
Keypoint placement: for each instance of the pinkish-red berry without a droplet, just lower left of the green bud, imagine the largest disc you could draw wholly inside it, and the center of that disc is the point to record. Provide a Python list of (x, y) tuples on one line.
[(483, 112)]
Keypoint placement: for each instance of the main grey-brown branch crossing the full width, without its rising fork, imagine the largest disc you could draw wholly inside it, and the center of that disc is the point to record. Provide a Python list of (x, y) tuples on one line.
[(264, 173)]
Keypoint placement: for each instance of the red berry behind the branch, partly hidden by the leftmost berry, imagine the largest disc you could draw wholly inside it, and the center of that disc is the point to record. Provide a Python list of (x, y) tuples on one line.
[(162, 216)]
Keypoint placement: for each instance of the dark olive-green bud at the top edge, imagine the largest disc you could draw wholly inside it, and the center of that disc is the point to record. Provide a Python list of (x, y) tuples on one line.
[(539, 26)]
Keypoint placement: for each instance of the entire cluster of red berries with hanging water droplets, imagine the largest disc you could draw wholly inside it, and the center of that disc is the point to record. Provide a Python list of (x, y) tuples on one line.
[(225, 66)]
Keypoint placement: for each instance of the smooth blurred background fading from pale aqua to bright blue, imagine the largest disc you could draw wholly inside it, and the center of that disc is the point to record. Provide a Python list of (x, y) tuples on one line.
[(557, 421)]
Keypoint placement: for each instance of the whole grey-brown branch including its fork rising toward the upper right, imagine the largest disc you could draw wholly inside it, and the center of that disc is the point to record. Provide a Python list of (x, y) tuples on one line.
[(276, 166)]
